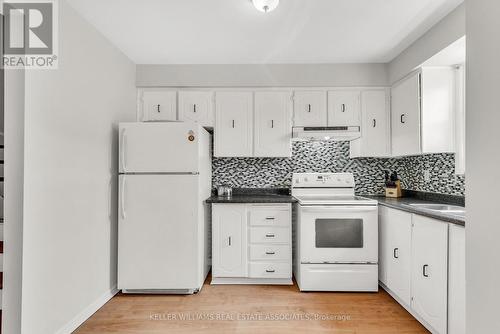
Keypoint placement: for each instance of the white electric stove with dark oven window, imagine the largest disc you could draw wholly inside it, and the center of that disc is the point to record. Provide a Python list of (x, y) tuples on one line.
[(336, 234)]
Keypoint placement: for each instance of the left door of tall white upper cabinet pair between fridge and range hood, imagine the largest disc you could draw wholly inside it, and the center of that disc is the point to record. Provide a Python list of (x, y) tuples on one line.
[(233, 124)]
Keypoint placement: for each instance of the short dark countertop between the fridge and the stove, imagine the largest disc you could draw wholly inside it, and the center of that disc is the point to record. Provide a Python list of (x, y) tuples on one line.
[(255, 195)]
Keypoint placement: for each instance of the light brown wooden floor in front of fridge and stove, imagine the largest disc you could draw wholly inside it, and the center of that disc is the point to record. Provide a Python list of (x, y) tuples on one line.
[(253, 309)]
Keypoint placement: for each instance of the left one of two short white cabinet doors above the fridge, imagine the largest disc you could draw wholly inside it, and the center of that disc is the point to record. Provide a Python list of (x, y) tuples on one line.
[(159, 105)]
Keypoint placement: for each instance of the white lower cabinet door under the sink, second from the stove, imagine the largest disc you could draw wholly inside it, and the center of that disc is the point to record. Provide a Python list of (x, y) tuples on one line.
[(430, 271)]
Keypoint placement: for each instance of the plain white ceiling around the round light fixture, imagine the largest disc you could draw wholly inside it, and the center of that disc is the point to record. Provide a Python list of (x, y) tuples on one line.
[(234, 32)]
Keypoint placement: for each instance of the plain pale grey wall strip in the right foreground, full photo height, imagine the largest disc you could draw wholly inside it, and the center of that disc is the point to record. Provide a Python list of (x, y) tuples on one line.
[(483, 161)]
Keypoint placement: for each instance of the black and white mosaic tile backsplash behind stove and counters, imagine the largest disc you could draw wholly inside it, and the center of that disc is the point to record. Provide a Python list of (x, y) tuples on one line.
[(334, 157)]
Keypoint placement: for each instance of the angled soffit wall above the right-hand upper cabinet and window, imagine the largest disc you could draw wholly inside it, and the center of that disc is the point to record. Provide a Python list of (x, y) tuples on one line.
[(447, 31)]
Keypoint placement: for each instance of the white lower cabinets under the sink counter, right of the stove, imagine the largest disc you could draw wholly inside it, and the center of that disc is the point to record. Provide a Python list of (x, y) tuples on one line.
[(422, 270)]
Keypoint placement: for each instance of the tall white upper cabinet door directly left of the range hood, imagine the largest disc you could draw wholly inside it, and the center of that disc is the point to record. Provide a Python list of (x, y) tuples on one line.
[(273, 126)]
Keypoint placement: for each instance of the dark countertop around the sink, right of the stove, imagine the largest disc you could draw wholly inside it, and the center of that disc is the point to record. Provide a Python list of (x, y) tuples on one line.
[(403, 204)]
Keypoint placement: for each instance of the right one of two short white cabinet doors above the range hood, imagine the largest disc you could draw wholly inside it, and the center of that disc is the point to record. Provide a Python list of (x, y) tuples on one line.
[(344, 108)]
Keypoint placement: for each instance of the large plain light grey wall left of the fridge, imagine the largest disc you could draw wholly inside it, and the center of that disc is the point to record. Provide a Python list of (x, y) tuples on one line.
[(70, 172)]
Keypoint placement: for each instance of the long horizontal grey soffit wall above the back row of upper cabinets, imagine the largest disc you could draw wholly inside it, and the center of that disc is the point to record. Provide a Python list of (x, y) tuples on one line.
[(277, 75)]
